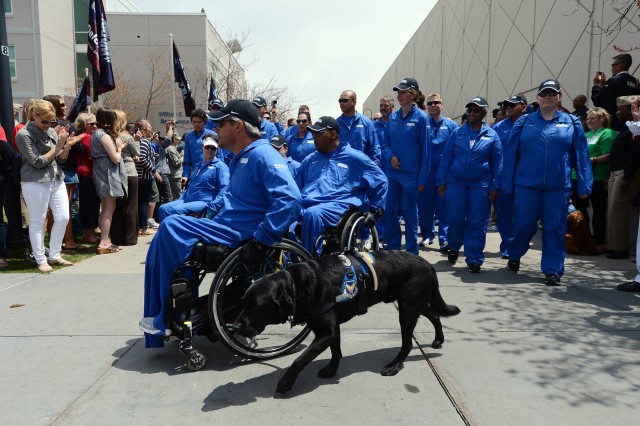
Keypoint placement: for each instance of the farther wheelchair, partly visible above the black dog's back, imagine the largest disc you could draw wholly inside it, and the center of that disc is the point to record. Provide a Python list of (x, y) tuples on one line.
[(350, 234)]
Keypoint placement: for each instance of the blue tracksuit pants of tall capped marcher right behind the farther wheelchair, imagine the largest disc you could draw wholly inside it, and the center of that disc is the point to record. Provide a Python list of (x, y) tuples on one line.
[(407, 194)]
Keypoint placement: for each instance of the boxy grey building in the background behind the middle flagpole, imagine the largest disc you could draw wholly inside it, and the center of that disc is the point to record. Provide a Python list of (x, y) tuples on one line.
[(137, 37)]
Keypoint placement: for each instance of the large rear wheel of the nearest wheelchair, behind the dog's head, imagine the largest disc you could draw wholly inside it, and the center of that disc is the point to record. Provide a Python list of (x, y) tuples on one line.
[(225, 303)]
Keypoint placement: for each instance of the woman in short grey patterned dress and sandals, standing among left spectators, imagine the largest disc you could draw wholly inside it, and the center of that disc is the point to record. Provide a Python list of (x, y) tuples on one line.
[(109, 176)]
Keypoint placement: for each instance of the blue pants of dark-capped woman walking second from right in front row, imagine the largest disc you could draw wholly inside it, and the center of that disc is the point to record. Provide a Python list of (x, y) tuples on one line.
[(468, 211)]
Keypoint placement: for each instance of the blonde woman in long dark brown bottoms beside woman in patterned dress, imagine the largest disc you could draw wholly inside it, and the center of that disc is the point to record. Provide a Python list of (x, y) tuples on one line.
[(124, 228)]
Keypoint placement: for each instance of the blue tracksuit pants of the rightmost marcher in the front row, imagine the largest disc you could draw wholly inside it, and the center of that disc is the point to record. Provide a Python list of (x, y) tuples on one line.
[(552, 206)]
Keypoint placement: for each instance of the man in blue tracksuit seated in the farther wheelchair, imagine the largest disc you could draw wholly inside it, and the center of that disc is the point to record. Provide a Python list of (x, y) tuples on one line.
[(335, 178)]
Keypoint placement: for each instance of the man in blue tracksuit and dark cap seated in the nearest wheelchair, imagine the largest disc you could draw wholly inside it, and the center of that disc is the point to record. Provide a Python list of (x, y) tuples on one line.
[(260, 202)]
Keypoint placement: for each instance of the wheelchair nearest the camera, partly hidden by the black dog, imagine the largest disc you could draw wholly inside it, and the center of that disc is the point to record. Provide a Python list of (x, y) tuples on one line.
[(213, 314)]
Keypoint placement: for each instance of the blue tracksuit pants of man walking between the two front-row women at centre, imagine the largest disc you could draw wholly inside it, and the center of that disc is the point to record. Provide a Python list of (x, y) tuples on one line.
[(429, 205)]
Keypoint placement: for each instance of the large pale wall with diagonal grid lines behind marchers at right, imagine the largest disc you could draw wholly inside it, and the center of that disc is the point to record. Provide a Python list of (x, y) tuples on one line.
[(495, 48)]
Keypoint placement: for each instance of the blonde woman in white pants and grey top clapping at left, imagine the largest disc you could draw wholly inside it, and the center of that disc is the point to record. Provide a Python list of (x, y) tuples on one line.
[(42, 148)]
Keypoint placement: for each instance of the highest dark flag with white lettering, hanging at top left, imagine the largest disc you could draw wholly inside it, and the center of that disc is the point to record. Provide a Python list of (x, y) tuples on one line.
[(98, 50)]
